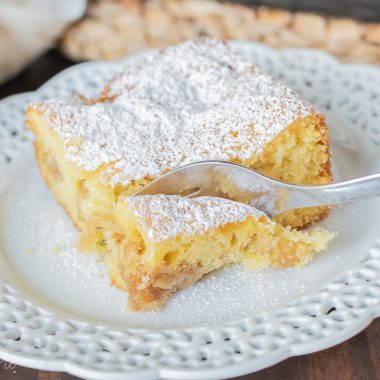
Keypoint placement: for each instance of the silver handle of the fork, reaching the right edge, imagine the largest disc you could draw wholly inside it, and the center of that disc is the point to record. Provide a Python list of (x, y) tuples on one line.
[(333, 194)]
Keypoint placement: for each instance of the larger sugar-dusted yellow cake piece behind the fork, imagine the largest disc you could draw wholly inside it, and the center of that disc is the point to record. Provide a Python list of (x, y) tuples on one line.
[(195, 101)]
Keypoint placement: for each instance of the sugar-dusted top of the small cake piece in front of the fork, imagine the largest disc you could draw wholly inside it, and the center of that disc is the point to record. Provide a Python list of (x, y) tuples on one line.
[(166, 216)]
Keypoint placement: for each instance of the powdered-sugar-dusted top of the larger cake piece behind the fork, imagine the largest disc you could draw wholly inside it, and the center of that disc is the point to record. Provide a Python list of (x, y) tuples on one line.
[(195, 101)]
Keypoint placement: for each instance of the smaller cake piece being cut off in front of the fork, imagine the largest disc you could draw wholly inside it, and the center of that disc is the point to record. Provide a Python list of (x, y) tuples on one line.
[(160, 244)]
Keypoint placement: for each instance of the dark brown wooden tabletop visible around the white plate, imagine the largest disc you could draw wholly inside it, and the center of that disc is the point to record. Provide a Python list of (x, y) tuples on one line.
[(356, 359)]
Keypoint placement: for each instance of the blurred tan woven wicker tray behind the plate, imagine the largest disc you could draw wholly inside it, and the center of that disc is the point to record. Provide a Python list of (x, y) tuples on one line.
[(112, 29)]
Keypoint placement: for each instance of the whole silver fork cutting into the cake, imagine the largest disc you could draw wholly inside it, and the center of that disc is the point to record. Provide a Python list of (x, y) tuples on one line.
[(236, 182)]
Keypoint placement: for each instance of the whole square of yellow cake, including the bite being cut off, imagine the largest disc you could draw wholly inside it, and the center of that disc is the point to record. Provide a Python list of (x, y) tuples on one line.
[(195, 101)]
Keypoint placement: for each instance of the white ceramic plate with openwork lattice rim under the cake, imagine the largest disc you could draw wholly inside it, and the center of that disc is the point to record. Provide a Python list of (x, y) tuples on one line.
[(58, 311)]
